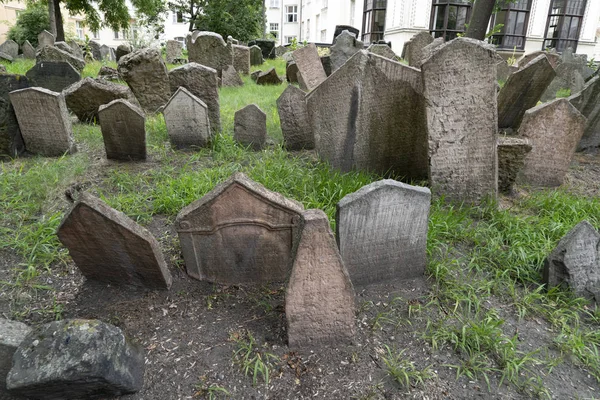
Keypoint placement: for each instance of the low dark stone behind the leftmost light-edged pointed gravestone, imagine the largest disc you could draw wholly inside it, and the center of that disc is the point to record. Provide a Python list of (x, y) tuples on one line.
[(53, 75)]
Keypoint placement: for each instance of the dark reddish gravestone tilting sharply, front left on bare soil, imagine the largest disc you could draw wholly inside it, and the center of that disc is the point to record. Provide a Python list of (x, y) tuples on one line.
[(108, 246)]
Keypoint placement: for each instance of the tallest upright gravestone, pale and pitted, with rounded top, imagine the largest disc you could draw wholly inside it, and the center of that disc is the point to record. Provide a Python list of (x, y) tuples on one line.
[(459, 82)]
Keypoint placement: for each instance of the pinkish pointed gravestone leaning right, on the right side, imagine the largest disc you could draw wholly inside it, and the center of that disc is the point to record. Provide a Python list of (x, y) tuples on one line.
[(554, 129)]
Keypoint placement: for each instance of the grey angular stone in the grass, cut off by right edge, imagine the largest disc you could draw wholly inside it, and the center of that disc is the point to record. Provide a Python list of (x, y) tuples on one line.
[(574, 263)]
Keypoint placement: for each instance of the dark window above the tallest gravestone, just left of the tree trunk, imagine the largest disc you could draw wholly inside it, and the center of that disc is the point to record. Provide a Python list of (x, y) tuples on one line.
[(448, 18)]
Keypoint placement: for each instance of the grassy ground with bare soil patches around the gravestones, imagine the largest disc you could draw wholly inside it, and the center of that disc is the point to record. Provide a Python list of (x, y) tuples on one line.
[(479, 324)]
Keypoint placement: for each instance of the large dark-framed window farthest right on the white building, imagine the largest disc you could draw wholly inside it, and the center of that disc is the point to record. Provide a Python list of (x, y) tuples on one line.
[(564, 24)]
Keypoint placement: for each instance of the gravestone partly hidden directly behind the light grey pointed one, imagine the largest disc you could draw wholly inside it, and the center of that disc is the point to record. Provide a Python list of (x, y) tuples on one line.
[(202, 82)]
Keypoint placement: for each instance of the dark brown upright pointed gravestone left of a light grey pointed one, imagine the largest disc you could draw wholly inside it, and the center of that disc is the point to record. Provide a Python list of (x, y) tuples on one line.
[(123, 131)]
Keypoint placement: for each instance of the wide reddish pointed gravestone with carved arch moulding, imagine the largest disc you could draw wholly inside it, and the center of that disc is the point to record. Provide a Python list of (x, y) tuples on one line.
[(239, 233)]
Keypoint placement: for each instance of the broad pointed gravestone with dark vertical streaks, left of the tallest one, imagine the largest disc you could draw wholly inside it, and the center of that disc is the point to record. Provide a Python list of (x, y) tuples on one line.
[(370, 115)]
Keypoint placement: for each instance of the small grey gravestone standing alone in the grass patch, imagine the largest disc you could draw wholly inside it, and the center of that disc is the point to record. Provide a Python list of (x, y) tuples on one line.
[(250, 127)]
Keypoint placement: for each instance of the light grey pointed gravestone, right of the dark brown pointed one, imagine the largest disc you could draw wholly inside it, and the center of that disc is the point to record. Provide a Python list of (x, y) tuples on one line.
[(186, 117)]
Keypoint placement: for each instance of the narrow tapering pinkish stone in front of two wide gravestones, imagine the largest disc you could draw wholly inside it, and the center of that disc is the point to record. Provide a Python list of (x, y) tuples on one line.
[(319, 299)]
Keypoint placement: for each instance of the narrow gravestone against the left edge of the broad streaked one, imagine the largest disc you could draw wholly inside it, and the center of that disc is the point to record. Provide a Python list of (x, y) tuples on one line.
[(295, 124)]
